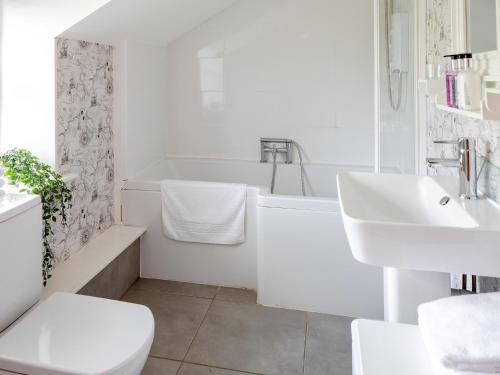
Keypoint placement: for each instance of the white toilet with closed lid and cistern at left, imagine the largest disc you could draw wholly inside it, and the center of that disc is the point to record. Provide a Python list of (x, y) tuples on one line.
[(65, 334)]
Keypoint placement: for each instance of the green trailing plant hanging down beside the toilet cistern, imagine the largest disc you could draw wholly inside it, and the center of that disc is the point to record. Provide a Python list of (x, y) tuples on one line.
[(25, 170)]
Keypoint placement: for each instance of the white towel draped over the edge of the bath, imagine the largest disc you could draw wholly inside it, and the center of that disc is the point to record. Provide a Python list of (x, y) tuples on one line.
[(204, 212)]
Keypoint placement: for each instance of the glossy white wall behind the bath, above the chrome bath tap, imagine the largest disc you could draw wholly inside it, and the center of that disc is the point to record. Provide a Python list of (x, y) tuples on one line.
[(301, 69)]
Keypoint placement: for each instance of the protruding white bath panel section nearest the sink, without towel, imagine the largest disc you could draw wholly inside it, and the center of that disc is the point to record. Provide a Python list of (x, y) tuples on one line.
[(305, 263)]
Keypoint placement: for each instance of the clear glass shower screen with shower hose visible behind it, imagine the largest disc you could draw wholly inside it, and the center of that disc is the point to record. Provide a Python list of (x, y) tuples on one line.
[(395, 86)]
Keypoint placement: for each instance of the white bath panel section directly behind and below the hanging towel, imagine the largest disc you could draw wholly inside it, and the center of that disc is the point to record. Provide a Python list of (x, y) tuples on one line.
[(166, 259)]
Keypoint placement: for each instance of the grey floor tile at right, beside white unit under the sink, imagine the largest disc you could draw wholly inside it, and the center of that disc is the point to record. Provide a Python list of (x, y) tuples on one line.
[(328, 345)]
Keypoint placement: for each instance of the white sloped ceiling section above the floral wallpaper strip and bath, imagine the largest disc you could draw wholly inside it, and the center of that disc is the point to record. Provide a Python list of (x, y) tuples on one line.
[(156, 22)]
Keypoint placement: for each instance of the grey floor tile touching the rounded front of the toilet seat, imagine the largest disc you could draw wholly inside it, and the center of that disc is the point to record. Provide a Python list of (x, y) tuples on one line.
[(177, 319)]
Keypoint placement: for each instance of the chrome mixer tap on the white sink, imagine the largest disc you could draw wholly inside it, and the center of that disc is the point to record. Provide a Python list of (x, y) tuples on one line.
[(465, 162)]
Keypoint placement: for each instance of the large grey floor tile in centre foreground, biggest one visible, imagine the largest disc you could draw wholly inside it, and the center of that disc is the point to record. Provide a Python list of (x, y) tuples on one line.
[(251, 338)]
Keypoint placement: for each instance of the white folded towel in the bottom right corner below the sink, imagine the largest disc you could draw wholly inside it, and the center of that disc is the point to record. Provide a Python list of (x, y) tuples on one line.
[(463, 333)]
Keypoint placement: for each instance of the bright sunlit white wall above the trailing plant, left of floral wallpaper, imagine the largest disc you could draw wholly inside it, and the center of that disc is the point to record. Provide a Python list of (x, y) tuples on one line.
[(28, 70)]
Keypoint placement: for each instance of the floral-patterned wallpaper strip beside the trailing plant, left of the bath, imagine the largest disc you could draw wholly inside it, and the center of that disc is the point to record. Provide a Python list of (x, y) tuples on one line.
[(84, 140)]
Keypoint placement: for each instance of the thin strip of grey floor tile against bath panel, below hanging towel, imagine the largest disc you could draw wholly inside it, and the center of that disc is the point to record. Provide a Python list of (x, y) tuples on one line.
[(176, 287)]
